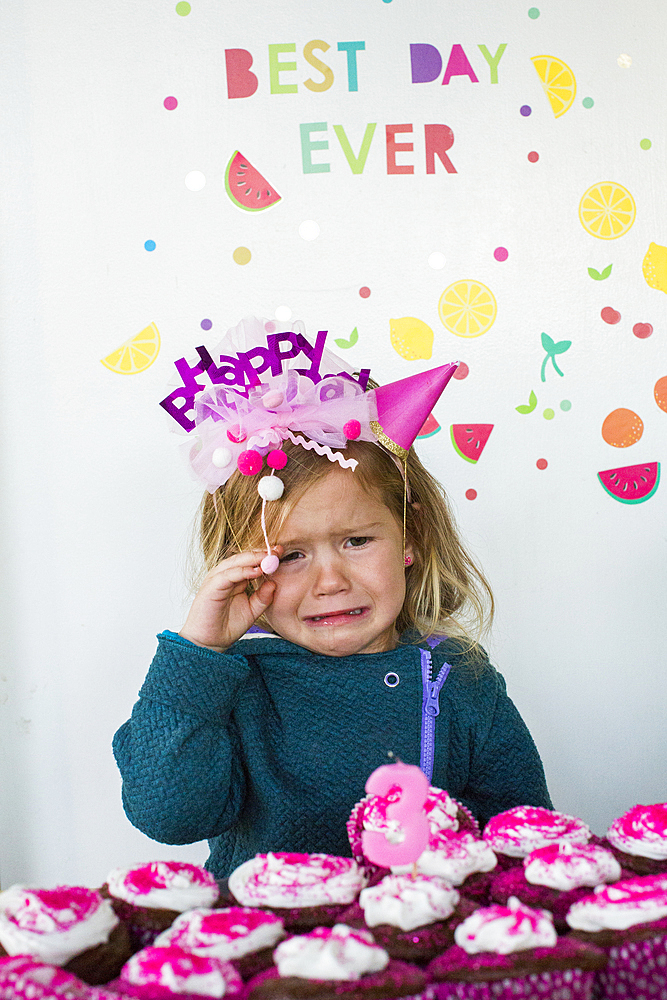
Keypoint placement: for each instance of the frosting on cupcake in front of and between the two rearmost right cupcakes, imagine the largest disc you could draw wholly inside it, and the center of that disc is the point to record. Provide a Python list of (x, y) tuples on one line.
[(566, 866)]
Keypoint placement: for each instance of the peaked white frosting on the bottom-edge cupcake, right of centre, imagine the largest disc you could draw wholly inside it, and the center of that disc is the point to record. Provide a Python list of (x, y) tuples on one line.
[(506, 929)]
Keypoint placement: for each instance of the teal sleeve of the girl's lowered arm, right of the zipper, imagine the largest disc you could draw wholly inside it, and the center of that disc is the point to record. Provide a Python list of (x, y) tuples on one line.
[(505, 766)]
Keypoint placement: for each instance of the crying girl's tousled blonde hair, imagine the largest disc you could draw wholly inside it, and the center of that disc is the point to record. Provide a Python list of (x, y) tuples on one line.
[(446, 592)]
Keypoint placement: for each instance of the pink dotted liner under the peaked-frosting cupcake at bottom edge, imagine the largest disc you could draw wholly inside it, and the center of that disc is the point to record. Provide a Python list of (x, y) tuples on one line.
[(559, 984)]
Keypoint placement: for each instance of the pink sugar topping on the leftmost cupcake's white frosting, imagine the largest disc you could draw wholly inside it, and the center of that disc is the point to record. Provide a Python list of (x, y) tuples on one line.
[(49, 910)]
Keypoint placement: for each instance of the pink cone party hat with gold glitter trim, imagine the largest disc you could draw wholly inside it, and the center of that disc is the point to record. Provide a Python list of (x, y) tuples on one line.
[(404, 406)]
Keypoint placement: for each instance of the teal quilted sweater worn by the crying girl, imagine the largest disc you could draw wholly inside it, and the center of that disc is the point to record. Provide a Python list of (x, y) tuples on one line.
[(268, 746)]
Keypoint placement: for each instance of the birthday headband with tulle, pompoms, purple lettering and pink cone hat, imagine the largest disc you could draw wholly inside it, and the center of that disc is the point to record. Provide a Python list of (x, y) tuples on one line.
[(266, 387)]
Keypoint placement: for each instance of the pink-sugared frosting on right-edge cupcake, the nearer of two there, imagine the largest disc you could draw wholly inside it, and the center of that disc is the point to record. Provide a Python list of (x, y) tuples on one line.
[(622, 905)]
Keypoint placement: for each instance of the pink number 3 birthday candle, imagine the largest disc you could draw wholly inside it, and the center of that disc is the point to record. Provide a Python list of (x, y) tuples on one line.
[(408, 811)]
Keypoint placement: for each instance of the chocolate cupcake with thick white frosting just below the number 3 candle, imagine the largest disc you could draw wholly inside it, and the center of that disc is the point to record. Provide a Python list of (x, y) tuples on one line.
[(413, 919)]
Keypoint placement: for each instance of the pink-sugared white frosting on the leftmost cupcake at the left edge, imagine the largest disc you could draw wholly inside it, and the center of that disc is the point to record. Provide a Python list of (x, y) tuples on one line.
[(29, 926)]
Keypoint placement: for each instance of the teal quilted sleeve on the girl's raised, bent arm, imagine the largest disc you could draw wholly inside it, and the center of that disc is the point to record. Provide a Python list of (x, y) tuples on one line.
[(178, 754)]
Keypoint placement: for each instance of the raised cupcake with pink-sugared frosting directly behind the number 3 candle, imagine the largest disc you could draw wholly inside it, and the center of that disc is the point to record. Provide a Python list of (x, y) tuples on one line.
[(445, 816)]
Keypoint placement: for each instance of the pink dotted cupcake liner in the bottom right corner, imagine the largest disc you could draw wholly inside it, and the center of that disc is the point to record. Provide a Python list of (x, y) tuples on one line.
[(636, 970)]
